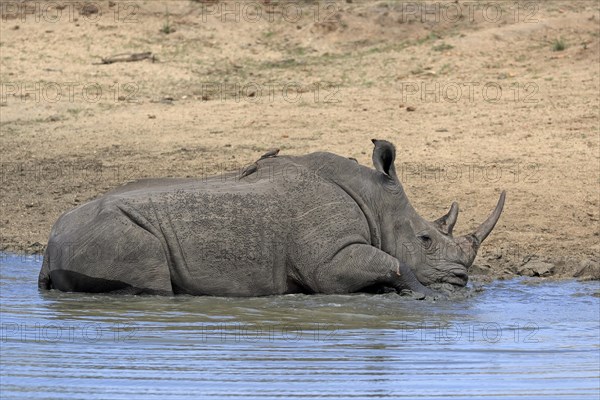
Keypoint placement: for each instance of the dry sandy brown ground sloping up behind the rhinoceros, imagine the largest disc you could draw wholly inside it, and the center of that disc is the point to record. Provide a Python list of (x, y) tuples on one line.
[(477, 96)]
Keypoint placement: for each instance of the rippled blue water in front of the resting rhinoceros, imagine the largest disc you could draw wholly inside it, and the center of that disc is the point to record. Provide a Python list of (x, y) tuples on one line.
[(524, 339)]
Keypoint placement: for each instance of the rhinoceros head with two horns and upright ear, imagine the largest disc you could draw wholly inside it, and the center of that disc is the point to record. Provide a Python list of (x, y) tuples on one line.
[(428, 247)]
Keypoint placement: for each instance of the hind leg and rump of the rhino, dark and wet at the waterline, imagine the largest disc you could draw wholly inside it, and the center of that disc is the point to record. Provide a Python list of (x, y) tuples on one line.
[(102, 252)]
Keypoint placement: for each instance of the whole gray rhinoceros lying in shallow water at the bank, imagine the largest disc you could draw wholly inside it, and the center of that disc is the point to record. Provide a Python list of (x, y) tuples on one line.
[(318, 223)]
